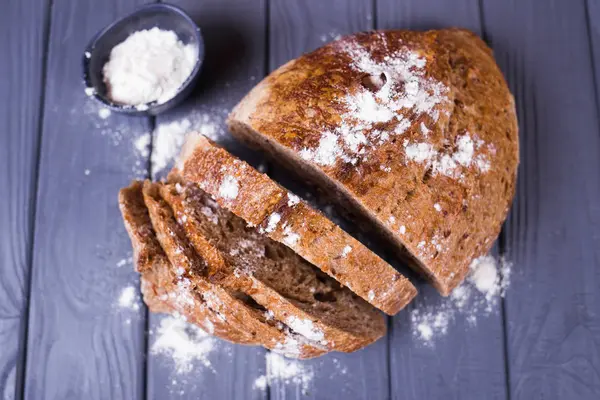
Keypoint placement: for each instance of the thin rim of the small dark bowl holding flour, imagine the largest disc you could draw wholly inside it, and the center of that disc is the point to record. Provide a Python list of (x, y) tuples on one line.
[(153, 105)]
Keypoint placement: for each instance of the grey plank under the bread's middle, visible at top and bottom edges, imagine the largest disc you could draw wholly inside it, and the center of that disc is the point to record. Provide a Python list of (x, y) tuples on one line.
[(295, 28)]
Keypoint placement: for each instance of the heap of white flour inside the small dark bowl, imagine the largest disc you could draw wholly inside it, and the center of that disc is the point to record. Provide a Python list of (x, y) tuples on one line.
[(150, 65)]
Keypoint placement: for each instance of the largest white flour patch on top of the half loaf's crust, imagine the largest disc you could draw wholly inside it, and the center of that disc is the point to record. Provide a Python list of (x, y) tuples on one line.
[(393, 88)]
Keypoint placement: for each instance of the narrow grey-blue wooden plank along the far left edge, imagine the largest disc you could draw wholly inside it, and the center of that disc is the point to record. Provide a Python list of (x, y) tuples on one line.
[(22, 41)]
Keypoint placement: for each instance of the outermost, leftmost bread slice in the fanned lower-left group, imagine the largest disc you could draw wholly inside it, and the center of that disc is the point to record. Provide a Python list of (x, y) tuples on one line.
[(162, 288)]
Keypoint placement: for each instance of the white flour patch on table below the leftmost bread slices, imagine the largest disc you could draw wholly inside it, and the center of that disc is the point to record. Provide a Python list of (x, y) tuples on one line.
[(185, 343)]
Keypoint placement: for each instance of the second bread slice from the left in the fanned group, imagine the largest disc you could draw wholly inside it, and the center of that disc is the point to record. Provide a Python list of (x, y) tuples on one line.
[(235, 308)]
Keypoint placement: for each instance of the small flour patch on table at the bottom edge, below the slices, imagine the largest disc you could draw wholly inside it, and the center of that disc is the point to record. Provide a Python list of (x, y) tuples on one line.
[(286, 371)]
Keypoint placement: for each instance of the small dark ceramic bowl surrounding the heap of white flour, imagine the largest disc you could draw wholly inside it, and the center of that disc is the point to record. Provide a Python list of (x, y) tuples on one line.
[(97, 53)]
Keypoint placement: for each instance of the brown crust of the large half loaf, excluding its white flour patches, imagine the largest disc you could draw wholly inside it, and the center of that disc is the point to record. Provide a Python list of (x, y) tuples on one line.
[(289, 110)]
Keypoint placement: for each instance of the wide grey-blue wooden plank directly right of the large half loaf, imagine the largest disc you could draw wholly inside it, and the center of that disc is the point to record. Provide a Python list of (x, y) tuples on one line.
[(553, 233)]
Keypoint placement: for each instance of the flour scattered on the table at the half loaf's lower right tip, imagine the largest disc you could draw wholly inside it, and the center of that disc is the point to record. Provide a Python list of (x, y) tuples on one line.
[(477, 296)]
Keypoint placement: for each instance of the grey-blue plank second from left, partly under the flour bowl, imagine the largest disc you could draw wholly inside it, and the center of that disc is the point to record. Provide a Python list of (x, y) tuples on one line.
[(80, 345)]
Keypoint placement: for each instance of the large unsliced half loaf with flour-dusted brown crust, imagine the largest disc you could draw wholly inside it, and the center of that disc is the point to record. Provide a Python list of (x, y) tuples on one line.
[(417, 131)]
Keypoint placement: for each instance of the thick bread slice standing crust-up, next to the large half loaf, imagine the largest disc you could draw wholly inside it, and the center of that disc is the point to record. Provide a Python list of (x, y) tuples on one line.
[(285, 218)]
